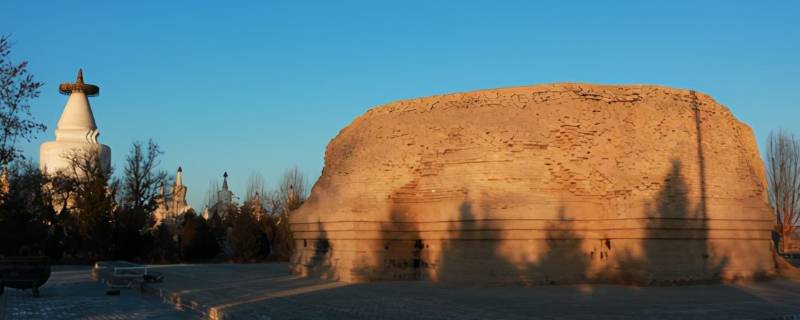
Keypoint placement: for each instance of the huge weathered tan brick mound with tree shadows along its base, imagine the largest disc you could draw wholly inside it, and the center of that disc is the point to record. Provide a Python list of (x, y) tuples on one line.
[(559, 183)]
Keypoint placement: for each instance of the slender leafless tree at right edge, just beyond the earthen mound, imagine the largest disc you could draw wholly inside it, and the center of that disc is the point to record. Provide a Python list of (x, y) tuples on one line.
[(783, 174)]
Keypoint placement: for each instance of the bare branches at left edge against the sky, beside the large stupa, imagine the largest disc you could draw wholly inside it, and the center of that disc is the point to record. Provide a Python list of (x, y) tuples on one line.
[(17, 87)]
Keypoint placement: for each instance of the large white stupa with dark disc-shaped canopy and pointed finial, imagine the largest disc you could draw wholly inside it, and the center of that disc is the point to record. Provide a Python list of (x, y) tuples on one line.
[(76, 130)]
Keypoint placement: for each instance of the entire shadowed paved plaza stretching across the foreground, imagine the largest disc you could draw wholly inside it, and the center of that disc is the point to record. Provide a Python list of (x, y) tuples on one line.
[(268, 291)]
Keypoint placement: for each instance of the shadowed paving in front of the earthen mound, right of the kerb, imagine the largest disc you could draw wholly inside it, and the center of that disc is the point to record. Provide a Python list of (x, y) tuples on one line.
[(268, 291)]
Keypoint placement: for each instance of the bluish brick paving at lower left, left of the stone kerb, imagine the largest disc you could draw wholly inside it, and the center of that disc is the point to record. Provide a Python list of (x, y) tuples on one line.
[(71, 294)]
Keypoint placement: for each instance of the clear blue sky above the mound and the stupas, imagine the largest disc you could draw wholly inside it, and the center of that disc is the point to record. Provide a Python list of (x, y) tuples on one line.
[(264, 85)]
